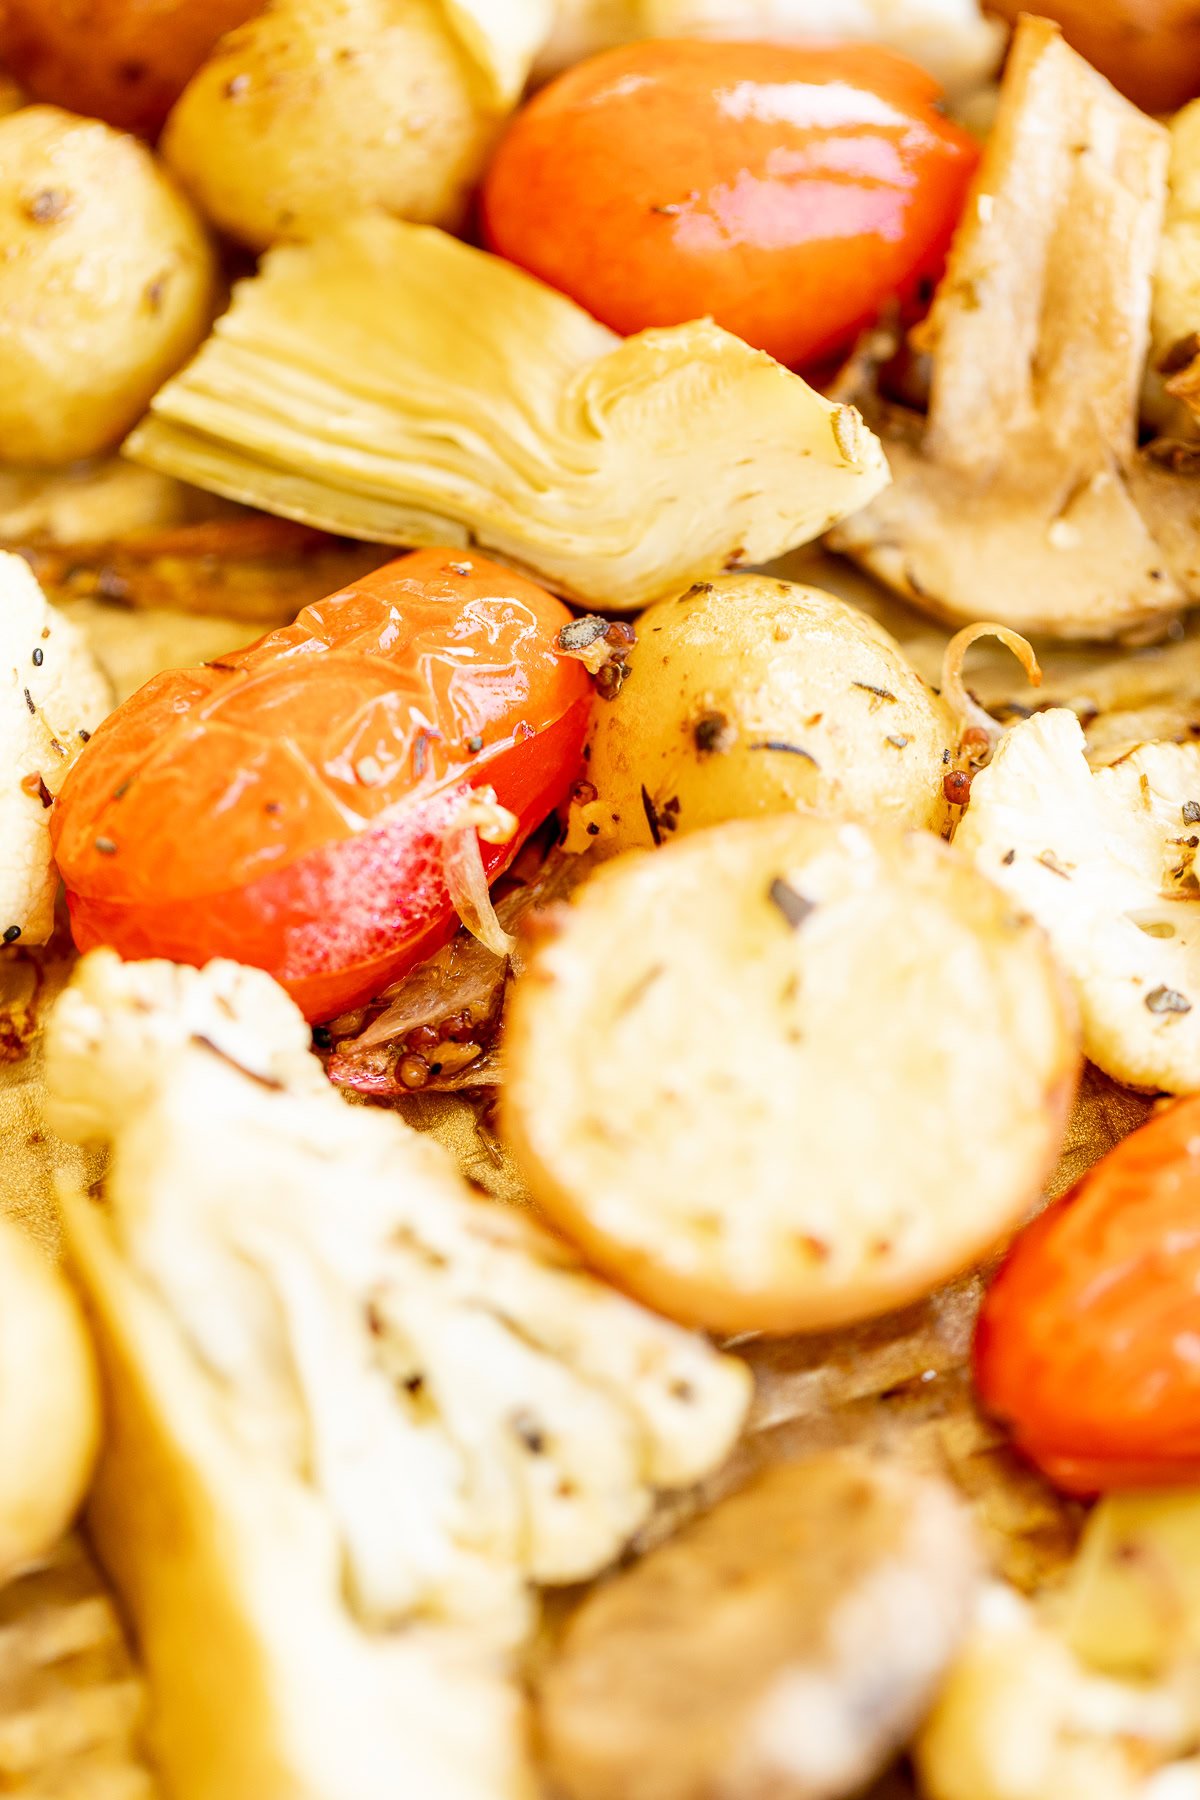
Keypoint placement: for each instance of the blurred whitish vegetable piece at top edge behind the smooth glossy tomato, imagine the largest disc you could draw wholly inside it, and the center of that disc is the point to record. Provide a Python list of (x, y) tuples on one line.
[(951, 39)]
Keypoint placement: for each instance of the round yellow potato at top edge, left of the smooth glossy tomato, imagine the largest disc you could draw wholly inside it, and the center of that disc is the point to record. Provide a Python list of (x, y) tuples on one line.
[(328, 107)]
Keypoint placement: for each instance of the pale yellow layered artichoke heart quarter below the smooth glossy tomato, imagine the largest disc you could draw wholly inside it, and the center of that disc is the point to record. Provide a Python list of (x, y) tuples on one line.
[(390, 382)]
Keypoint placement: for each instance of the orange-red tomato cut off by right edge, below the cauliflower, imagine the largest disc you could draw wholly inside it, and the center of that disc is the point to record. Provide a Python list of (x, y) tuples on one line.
[(1089, 1338)]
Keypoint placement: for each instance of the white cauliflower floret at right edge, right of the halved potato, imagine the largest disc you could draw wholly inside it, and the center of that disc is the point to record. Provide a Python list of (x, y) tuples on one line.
[(1107, 863)]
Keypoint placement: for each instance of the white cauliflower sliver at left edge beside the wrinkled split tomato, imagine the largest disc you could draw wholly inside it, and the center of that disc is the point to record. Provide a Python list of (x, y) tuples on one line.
[(51, 696)]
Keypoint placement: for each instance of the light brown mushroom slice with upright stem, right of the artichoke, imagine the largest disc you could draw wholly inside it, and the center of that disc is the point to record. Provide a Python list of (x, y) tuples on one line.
[(1023, 496)]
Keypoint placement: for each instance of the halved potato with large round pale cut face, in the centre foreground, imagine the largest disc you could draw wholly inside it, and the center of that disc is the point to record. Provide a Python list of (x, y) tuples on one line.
[(789, 1074)]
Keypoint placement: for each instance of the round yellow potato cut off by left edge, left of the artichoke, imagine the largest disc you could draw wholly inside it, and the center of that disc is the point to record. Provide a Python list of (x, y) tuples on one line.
[(107, 285)]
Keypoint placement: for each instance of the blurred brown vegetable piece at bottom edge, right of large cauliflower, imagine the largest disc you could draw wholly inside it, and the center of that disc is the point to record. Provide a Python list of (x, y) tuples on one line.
[(780, 1650)]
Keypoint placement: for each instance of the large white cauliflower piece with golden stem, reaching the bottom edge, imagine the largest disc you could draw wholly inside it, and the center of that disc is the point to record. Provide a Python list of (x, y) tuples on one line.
[(346, 1398)]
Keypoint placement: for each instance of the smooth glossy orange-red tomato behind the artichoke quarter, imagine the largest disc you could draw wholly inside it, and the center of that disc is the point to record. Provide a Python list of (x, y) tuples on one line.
[(784, 192)]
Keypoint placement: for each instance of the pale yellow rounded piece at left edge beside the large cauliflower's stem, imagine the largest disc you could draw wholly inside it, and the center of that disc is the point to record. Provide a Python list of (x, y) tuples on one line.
[(49, 1403)]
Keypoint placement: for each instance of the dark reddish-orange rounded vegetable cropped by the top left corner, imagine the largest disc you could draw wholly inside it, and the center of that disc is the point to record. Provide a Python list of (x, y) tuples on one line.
[(125, 62)]
